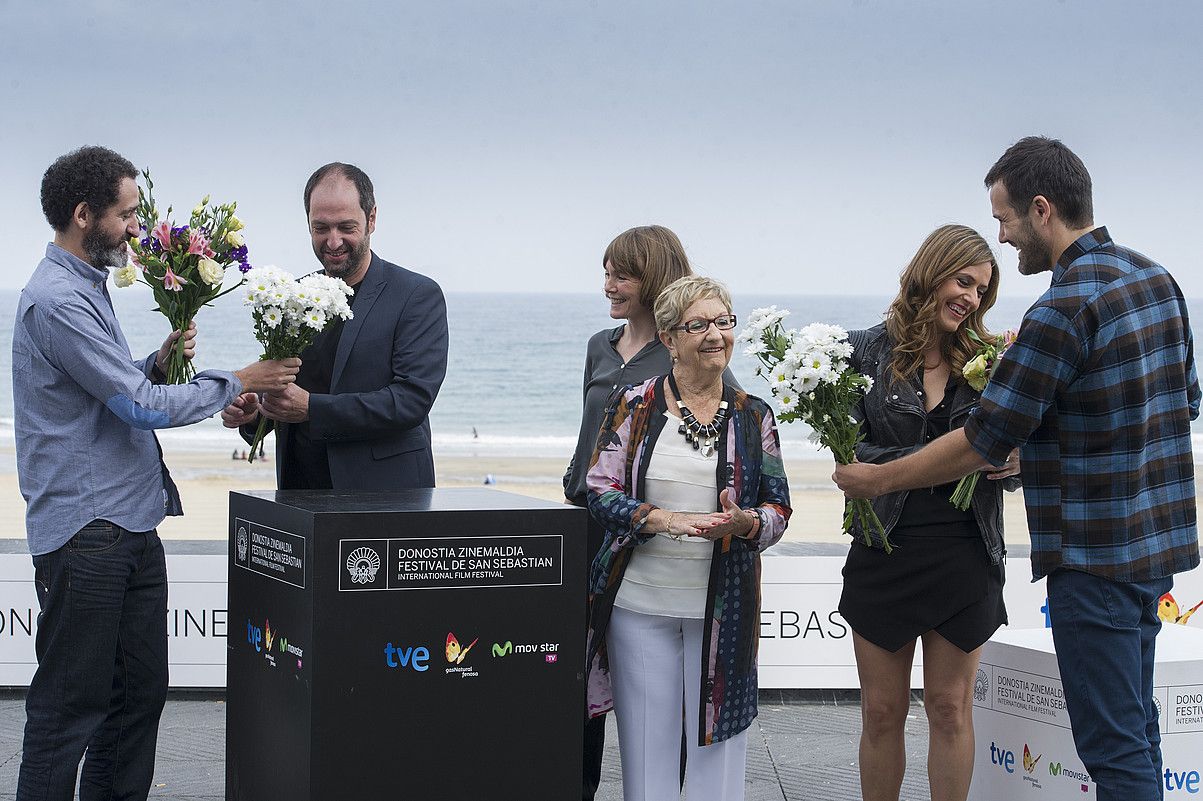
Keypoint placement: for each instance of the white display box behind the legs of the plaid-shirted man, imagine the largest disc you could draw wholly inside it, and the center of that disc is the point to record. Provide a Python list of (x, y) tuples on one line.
[(1022, 727)]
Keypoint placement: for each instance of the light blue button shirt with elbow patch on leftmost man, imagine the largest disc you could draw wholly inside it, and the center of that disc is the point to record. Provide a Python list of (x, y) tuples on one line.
[(85, 411)]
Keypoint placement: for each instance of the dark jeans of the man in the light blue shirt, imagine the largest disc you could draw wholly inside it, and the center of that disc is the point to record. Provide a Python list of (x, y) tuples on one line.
[(102, 679)]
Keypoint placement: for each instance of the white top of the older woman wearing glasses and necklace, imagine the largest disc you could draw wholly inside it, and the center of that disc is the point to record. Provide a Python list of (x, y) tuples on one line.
[(667, 575)]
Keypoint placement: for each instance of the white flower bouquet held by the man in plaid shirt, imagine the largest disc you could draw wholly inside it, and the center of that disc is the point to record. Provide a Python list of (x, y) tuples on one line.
[(810, 379)]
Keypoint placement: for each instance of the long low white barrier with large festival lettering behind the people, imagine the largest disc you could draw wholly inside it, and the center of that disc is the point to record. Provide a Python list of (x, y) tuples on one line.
[(805, 644)]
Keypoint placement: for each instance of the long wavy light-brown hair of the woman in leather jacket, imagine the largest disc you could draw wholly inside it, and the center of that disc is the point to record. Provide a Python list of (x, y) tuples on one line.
[(911, 319)]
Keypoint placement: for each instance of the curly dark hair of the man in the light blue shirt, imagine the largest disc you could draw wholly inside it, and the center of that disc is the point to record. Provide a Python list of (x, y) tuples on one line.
[(91, 175)]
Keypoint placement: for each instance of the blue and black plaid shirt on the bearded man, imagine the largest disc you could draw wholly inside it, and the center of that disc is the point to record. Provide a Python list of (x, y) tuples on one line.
[(1100, 390)]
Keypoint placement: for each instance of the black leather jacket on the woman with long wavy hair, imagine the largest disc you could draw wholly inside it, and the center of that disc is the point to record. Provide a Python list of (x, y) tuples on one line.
[(893, 422)]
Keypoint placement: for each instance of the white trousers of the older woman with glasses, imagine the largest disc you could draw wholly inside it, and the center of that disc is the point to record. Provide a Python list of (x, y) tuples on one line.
[(656, 673)]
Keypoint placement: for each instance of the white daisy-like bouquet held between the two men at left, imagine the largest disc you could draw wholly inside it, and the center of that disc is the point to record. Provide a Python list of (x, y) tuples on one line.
[(291, 313)]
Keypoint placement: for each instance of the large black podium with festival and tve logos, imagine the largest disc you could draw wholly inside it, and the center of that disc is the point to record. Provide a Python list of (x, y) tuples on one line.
[(426, 644)]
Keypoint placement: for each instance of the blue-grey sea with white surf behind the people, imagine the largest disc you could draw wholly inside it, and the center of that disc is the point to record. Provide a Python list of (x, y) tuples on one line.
[(515, 364)]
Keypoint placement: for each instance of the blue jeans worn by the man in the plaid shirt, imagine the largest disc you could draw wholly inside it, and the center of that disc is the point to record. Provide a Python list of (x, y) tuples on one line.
[(1105, 633)]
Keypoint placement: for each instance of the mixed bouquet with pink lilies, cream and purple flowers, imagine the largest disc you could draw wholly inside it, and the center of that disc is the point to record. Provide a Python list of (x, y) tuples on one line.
[(183, 265)]
